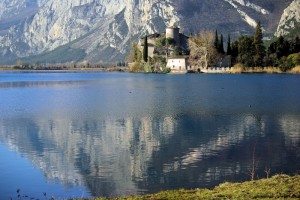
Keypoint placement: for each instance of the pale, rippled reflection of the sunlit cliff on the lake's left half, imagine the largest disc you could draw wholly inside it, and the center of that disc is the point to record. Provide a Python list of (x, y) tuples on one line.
[(109, 152)]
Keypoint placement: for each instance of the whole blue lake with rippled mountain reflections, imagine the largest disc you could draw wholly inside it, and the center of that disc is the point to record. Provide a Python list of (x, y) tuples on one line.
[(84, 134)]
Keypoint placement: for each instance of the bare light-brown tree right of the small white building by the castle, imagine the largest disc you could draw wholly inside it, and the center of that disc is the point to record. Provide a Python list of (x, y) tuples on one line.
[(202, 49)]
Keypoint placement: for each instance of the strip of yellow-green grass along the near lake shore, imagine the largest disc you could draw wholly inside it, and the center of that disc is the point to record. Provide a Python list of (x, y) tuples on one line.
[(277, 187)]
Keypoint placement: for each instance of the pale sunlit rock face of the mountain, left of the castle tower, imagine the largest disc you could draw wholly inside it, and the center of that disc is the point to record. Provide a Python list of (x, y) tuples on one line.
[(96, 26)]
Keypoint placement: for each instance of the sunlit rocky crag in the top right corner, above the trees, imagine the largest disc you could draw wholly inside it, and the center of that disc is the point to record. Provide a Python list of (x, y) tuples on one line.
[(290, 19)]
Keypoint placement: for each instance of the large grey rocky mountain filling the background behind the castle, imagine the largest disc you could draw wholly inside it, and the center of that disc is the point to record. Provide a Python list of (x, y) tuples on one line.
[(102, 30)]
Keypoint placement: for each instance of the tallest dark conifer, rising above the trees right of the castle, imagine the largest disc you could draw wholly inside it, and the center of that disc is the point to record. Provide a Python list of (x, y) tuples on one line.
[(259, 46)]
